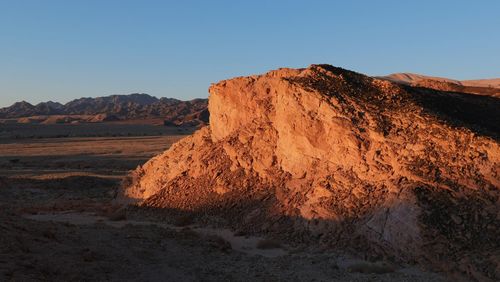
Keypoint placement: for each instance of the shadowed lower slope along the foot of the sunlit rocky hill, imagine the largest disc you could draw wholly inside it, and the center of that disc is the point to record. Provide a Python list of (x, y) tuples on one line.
[(461, 248)]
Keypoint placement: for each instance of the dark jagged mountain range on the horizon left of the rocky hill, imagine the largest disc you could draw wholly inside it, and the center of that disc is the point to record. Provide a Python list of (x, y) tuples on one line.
[(111, 108)]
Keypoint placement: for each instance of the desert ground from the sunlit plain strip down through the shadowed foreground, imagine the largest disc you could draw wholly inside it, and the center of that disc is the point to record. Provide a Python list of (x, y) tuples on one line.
[(58, 222)]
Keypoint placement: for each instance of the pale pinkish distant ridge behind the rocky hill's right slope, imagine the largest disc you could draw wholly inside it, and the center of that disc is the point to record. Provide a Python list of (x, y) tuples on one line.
[(490, 87)]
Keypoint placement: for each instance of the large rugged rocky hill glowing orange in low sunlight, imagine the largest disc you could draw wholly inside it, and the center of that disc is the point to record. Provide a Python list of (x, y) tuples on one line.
[(337, 157)]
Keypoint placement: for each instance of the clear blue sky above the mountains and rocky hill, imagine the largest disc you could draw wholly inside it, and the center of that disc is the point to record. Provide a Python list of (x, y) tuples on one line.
[(65, 49)]
